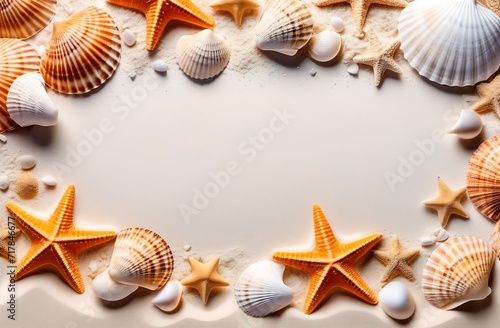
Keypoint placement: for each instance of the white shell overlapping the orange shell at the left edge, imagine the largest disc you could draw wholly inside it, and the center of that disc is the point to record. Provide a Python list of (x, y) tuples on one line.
[(28, 102)]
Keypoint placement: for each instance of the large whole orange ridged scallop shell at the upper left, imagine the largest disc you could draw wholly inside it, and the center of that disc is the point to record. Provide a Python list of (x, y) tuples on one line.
[(84, 51)]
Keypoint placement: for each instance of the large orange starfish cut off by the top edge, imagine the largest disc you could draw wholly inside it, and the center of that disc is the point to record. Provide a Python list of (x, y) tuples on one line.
[(160, 12)]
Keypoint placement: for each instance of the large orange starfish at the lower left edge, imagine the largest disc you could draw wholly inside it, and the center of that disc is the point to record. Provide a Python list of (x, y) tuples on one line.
[(56, 242)]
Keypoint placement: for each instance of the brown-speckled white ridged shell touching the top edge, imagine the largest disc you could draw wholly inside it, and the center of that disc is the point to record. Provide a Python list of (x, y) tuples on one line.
[(285, 26)]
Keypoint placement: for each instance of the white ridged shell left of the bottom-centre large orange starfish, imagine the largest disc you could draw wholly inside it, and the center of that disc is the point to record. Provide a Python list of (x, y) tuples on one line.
[(260, 290)]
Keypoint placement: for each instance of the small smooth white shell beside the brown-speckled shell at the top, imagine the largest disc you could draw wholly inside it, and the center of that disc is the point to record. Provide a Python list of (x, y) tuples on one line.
[(324, 46)]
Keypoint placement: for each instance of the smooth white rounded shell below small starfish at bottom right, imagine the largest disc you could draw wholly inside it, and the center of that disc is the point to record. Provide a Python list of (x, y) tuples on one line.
[(397, 301)]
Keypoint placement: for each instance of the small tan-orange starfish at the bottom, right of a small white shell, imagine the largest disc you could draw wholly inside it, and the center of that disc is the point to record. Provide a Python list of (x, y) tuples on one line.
[(204, 277)]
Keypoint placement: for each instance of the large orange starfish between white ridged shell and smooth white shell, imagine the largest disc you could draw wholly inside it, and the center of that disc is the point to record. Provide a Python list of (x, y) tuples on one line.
[(330, 264)]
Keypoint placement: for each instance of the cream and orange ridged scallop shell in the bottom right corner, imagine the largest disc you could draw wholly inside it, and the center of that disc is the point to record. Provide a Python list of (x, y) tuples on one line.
[(457, 272)]
